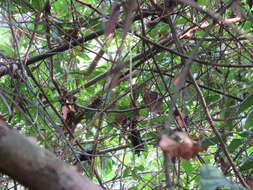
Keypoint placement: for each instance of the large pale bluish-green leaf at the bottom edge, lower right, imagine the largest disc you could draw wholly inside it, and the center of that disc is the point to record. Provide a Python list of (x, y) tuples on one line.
[(211, 178)]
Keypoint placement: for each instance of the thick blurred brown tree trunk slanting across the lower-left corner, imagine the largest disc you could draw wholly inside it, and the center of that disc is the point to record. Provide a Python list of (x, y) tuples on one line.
[(35, 167)]
